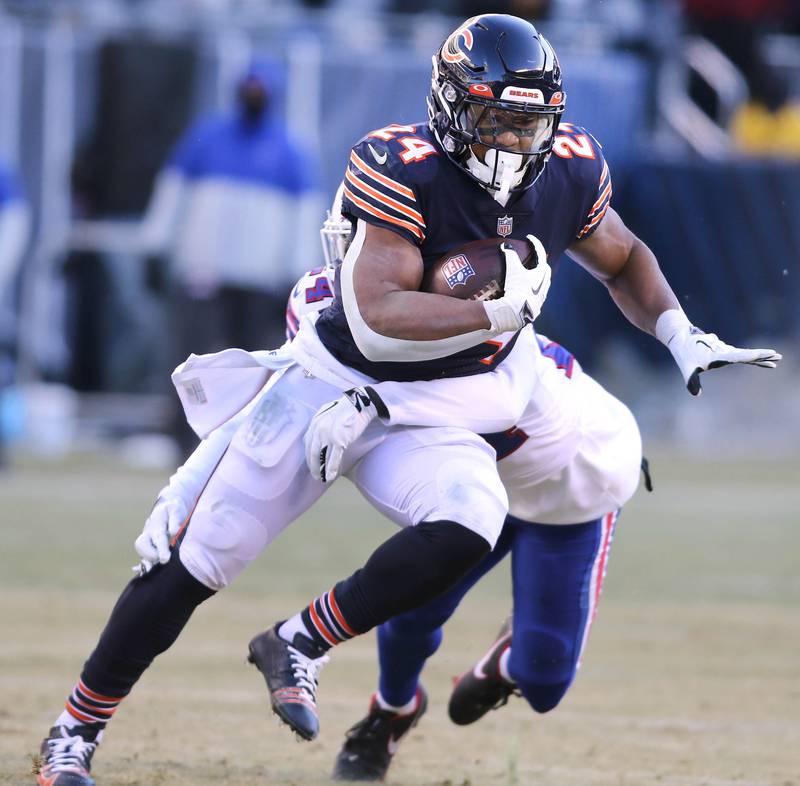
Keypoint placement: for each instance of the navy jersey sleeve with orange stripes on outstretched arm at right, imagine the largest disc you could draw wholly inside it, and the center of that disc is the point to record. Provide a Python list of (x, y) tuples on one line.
[(591, 172)]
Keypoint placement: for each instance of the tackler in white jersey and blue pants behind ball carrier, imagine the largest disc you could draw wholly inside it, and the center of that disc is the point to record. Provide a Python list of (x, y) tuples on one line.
[(569, 465)]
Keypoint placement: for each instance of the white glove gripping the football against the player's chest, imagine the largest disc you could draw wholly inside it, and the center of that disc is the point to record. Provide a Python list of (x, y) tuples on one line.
[(524, 291)]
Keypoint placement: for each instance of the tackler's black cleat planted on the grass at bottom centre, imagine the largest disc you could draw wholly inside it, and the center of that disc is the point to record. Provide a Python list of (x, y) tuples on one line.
[(371, 743)]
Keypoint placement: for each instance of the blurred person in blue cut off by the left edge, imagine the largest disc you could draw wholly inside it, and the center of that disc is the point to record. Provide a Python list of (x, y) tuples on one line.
[(14, 227)]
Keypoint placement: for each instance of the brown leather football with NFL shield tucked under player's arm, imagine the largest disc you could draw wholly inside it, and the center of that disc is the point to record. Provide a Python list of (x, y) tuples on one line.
[(474, 271)]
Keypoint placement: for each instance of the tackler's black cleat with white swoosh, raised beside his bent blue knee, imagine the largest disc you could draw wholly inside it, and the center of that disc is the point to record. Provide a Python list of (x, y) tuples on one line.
[(482, 688)]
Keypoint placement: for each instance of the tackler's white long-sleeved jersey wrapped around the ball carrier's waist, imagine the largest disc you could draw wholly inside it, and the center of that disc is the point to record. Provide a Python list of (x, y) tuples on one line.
[(567, 450)]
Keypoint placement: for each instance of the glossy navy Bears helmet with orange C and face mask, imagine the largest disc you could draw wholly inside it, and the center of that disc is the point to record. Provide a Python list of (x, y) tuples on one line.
[(496, 85)]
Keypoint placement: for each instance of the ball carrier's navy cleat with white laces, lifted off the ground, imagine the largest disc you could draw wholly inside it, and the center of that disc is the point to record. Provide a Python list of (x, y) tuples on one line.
[(292, 674)]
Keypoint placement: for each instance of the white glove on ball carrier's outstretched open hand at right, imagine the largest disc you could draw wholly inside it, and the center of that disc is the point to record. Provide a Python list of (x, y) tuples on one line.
[(695, 351)]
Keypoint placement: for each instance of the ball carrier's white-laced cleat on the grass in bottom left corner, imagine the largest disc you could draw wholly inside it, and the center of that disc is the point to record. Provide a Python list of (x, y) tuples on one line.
[(66, 756)]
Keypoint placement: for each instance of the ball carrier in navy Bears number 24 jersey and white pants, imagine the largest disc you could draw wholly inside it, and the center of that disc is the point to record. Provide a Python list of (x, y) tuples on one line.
[(476, 170)]
